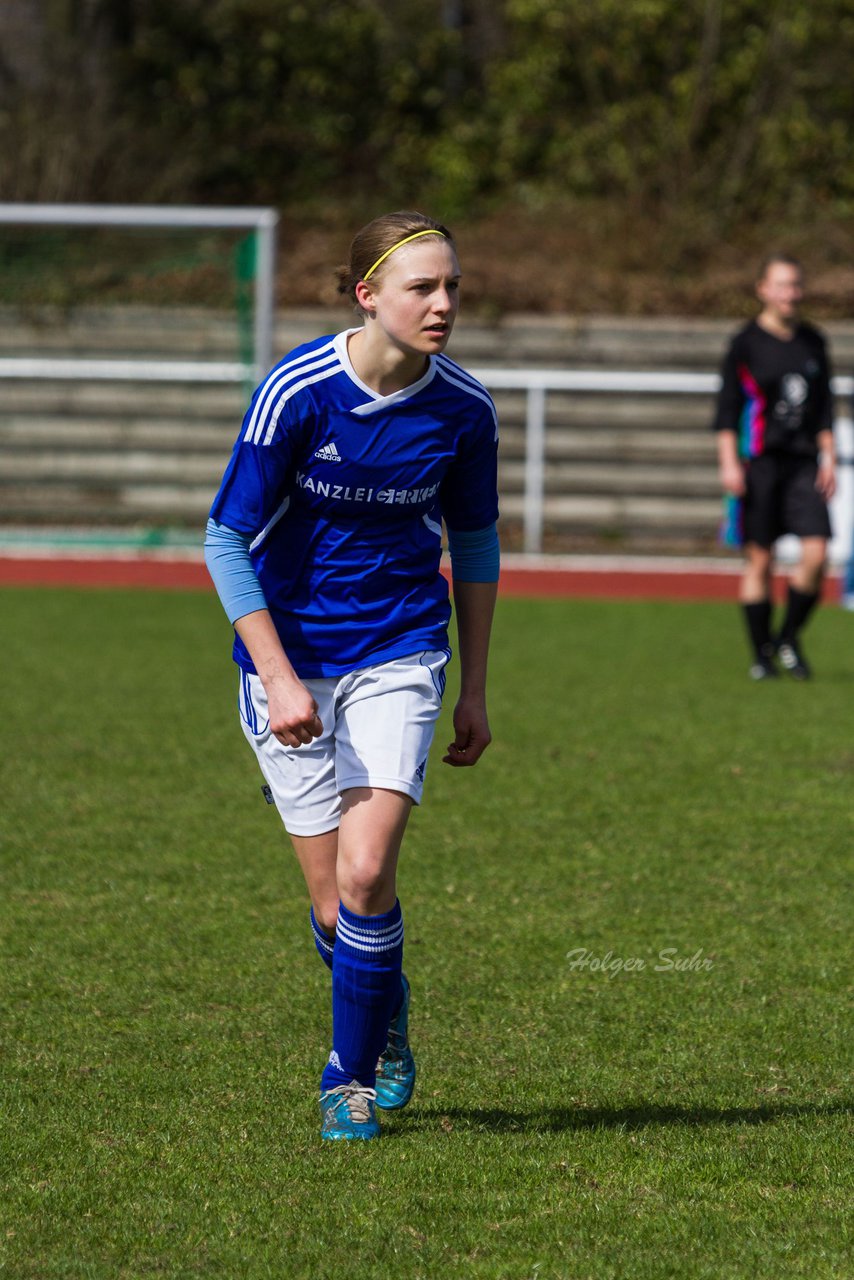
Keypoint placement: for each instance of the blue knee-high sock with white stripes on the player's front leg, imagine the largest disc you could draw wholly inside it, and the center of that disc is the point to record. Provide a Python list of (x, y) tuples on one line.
[(366, 989)]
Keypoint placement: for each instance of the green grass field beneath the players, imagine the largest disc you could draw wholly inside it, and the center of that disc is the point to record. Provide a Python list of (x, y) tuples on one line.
[(166, 1016)]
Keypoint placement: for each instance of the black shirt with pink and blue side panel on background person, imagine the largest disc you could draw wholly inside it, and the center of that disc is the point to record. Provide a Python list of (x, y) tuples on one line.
[(775, 395)]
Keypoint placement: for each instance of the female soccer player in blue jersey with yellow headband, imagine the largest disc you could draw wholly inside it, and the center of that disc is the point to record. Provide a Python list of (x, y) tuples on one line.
[(325, 546)]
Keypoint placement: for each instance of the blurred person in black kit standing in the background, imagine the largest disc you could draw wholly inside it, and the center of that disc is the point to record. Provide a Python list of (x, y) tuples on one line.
[(774, 424)]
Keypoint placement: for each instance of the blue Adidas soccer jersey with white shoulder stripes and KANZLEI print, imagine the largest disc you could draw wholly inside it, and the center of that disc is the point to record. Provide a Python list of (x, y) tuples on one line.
[(344, 493)]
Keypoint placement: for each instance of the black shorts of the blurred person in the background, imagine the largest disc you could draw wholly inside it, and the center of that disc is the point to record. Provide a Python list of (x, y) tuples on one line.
[(782, 499)]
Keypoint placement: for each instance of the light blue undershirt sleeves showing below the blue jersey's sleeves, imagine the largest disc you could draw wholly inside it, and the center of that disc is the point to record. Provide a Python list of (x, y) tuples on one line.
[(476, 557)]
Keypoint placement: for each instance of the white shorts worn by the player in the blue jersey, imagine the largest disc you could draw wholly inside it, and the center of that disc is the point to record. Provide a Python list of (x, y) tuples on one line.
[(377, 732)]
